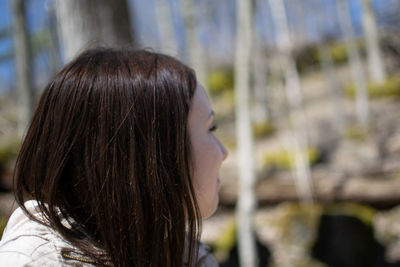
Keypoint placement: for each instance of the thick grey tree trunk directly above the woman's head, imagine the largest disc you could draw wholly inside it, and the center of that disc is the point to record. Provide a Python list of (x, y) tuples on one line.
[(86, 23)]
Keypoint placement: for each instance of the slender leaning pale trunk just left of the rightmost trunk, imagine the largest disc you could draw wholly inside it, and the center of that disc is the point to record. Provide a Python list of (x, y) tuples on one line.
[(362, 105)]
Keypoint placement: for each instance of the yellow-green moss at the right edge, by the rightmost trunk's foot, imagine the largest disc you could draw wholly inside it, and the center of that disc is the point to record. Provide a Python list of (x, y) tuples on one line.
[(388, 89)]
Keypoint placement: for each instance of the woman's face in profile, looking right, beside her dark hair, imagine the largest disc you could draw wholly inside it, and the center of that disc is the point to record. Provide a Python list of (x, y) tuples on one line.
[(208, 153)]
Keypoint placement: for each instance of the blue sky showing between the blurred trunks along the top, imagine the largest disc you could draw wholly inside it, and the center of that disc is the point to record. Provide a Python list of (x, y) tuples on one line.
[(217, 32)]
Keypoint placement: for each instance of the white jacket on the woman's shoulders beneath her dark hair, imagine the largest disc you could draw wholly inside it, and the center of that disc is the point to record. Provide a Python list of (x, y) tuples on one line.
[(29, 243)]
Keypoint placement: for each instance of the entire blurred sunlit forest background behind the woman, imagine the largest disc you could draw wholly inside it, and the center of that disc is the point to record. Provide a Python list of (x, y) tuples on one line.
[(307, 101)]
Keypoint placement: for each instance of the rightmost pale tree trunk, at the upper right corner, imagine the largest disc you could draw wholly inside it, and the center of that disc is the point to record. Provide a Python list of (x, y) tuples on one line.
[(375, 63)]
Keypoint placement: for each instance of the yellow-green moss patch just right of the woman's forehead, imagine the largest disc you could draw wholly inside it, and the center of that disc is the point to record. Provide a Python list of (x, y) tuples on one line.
[(219, 81)]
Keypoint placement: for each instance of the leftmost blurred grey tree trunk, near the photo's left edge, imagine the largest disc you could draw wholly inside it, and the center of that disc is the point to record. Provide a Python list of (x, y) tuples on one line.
[(22, 54)]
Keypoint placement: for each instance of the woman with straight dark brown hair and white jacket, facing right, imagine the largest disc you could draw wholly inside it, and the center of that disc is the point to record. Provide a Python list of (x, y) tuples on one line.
[(118, 167)]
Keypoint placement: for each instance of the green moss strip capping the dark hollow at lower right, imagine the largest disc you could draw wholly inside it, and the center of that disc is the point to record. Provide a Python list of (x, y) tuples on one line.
[(364, 213)]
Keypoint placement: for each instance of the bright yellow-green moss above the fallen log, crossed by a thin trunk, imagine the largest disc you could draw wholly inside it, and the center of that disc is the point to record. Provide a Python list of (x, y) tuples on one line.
[(283, 159)]
